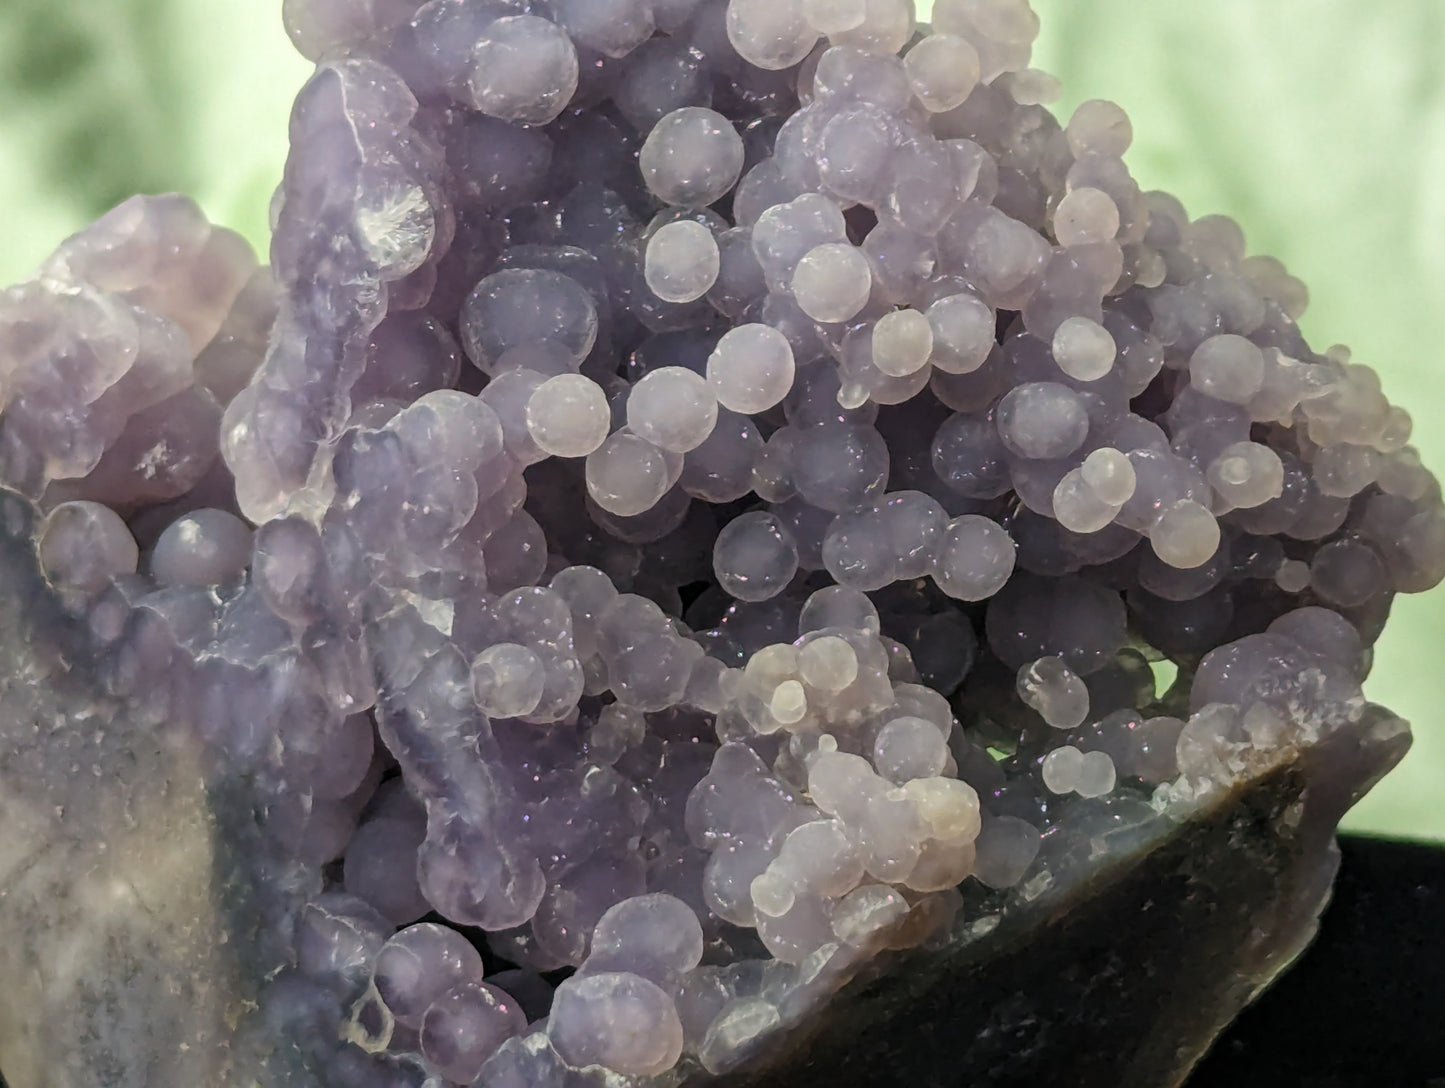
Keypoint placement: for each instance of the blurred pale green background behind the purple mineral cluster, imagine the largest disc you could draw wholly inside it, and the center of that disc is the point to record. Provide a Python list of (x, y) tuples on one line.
[(1320, 125)]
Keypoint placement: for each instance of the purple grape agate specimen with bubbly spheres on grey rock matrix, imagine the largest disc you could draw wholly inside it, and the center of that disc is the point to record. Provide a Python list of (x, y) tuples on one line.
[(726, 547)]
